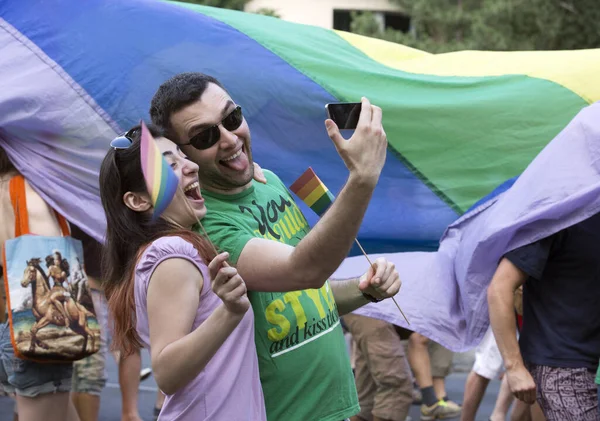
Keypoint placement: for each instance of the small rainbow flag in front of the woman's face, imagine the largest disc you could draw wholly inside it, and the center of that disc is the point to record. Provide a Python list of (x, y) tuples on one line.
[(160, 178)]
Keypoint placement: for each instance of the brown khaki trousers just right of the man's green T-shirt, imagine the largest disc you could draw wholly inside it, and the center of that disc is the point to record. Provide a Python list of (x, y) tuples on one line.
[(383, 379)]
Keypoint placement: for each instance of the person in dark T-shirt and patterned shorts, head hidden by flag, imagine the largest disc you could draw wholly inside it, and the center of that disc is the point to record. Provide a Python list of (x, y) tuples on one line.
[(556, 356)]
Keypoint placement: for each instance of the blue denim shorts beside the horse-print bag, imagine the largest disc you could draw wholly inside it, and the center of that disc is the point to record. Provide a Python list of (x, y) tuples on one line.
[(28, 378)]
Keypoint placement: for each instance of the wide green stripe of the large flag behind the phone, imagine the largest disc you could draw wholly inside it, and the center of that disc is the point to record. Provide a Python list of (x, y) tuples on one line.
[(462, 136)]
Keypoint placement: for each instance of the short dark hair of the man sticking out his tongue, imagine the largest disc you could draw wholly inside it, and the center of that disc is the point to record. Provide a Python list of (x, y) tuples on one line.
[(176, 93)]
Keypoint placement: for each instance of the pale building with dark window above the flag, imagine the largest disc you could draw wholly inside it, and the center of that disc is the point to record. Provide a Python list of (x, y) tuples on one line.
[(334, 14)]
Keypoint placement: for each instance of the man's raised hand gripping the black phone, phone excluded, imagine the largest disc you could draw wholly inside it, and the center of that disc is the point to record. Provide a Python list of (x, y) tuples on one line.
[(365, 152)]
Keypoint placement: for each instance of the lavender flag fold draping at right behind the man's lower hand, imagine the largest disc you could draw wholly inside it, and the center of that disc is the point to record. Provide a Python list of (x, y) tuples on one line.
[(444, 293)]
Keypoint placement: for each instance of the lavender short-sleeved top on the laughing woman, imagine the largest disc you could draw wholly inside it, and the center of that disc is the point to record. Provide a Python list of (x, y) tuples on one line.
[(229, 386)]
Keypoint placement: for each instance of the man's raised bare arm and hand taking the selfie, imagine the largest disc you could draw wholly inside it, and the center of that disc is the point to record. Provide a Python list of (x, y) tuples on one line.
[(269, 265)]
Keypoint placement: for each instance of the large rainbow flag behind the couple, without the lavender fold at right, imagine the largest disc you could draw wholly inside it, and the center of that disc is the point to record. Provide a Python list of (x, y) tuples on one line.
[(77, 73)]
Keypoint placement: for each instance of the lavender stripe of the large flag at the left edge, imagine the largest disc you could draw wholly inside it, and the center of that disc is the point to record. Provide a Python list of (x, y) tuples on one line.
[(54, 132)]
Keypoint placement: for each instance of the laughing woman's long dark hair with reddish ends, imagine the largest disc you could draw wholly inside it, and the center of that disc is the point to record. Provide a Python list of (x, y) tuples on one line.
[(127, 235)]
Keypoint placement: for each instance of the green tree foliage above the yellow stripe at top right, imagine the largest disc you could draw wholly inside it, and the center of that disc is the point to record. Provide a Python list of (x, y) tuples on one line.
[(501, 25)]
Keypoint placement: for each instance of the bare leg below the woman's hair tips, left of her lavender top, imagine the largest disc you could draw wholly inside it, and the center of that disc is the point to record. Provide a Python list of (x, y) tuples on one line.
[(129, 380)]
